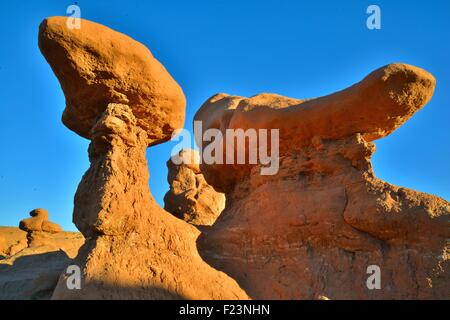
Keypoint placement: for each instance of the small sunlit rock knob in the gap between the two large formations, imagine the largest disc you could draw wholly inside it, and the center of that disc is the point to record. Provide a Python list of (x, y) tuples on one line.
[(190, 198)]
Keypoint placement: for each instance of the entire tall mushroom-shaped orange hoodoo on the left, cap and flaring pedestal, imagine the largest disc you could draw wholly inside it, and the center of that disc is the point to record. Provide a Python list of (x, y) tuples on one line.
[(123, 100)]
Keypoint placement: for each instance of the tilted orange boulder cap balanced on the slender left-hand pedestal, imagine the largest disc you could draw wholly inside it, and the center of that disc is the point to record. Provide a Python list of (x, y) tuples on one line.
[(96, 65)]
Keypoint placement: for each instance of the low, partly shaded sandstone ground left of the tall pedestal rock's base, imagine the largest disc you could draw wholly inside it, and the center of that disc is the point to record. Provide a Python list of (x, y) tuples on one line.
[(30, 268)]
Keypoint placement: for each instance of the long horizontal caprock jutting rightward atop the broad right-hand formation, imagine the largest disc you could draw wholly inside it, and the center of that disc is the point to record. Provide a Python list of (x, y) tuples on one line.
[(373, 107)]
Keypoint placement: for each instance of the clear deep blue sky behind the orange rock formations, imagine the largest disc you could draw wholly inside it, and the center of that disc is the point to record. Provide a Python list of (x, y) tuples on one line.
[(294, 48)]
